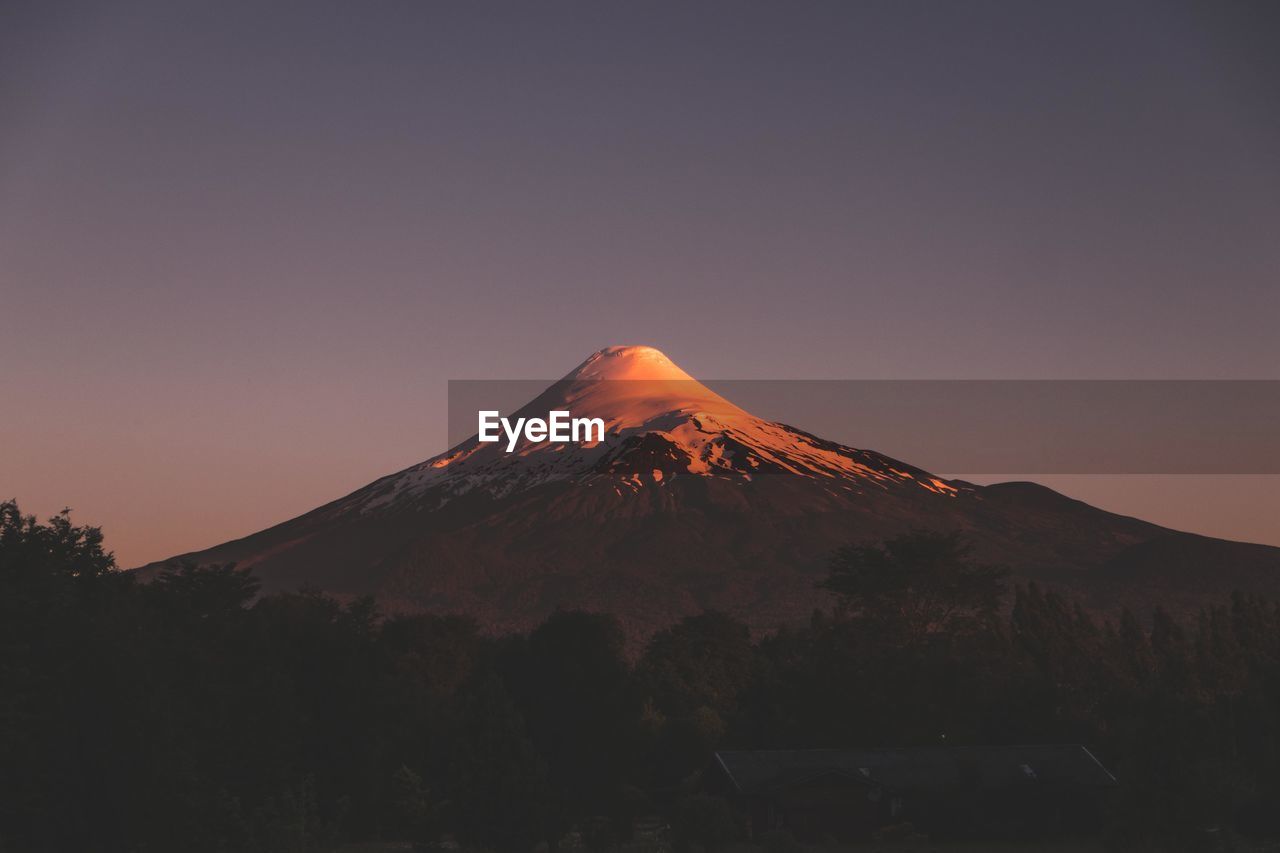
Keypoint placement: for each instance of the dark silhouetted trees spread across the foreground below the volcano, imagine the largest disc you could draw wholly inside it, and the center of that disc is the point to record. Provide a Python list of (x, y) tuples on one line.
[(193, 714)]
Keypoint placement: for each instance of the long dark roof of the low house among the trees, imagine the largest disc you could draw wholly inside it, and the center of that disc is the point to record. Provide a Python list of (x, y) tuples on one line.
[(918, 768)]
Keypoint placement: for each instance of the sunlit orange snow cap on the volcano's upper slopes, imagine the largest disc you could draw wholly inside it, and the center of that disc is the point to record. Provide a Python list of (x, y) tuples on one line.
[(661, 425)]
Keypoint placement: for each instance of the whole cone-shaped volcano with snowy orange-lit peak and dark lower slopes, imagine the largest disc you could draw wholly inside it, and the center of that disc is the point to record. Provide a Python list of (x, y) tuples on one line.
[(691, 504)]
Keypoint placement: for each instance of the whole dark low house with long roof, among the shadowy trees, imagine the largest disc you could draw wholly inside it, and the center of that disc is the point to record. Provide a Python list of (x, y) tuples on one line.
[(948, 792)]
